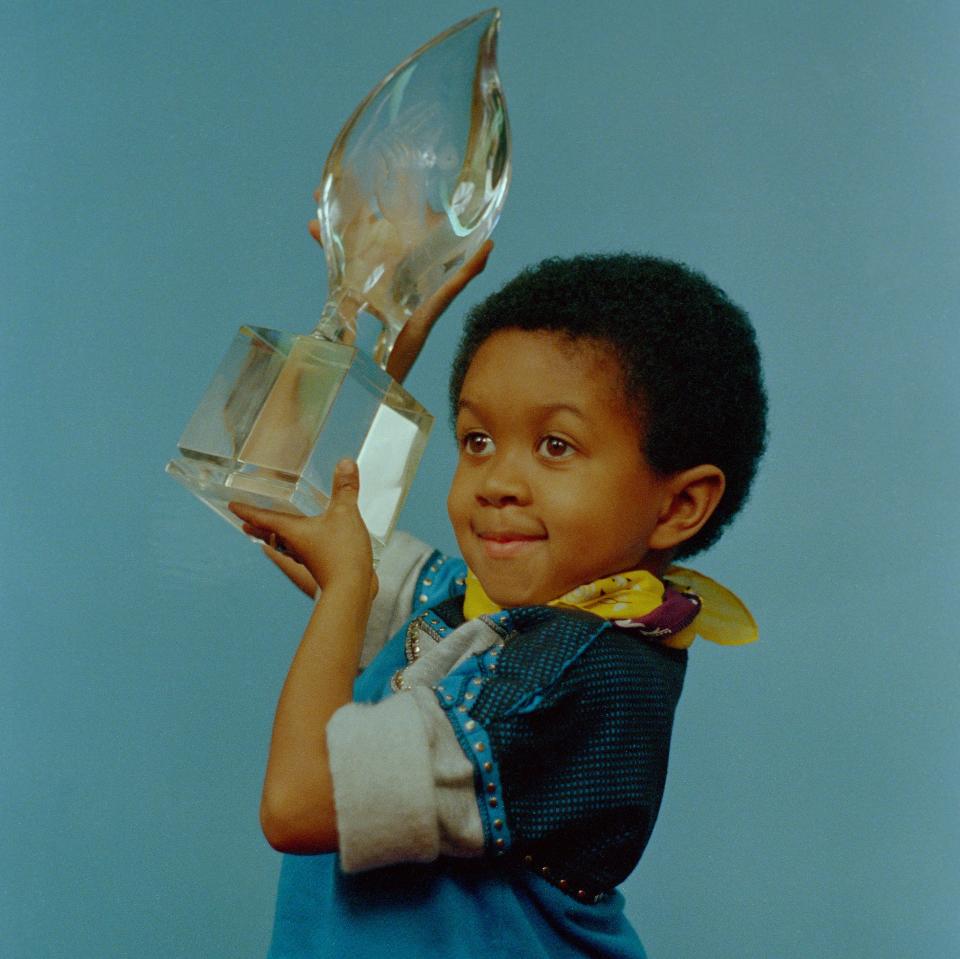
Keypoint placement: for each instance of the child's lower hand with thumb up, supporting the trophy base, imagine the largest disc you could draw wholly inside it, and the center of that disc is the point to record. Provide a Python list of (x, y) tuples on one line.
[(334, 549)]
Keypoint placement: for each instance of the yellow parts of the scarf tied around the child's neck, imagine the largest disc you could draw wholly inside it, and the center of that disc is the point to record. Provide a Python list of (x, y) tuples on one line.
[(723, 618)]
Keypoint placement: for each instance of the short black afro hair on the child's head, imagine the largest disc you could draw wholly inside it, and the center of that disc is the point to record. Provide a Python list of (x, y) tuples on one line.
[(688, 355)]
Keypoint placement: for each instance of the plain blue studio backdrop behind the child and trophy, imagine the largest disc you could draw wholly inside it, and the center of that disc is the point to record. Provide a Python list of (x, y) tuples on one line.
[(157, 168)]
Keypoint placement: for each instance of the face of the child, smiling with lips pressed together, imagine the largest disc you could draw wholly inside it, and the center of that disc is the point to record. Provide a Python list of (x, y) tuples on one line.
[(552, 489)]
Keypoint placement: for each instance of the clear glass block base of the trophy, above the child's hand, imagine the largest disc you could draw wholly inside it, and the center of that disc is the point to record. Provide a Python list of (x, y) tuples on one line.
[(282, 410)]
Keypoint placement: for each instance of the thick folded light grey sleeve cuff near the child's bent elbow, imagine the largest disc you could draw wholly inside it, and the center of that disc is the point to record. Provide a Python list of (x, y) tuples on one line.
[(382, 784)]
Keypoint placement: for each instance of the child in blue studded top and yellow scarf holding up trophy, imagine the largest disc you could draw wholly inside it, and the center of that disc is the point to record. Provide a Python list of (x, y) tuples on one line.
[(496, 771)]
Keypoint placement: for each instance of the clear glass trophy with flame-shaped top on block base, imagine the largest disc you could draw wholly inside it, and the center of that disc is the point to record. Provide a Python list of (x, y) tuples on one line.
[(412, 188)]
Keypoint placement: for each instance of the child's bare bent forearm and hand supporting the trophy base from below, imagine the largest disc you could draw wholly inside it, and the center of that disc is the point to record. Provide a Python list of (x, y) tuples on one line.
[(297, 811)]
